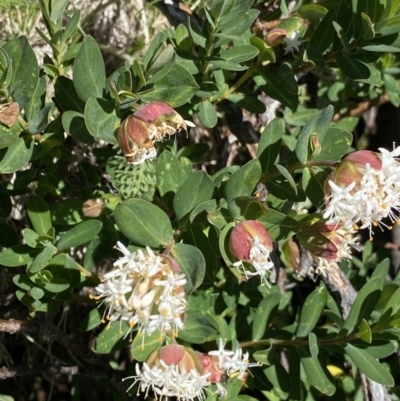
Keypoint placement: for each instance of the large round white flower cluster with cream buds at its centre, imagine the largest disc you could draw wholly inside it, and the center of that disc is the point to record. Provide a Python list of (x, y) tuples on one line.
[(143, 290)]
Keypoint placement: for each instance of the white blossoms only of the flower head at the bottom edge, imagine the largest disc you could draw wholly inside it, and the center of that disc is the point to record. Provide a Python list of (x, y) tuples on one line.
[(169, 381)]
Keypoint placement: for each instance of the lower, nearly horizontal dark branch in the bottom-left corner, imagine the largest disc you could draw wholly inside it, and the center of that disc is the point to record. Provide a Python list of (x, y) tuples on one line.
[(9, 373)]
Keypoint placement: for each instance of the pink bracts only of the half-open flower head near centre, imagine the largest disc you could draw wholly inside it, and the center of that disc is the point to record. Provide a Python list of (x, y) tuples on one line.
[(242, 238)]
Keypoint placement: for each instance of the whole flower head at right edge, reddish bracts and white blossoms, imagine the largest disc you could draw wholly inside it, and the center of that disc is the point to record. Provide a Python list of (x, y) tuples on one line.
[(365, 187)]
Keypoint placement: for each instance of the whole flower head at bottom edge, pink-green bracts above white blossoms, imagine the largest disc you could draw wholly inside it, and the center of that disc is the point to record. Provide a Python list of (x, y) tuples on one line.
[(172, 371)]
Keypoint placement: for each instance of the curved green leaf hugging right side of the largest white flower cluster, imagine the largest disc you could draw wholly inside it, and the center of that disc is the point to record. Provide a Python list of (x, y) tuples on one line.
[(192, 264)]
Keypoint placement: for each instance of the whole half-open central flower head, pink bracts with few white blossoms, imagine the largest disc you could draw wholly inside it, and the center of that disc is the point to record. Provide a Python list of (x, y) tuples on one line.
[(250, 242)]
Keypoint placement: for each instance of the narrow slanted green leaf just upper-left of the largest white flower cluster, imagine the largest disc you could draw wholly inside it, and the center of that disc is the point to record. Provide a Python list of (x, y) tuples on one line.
[(80, 234)]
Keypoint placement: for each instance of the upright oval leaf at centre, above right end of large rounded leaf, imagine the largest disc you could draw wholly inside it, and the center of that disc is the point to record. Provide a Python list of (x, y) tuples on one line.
[(197, 188)]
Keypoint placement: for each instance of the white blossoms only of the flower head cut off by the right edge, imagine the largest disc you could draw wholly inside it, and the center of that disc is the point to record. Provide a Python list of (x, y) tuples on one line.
[(374, 198)]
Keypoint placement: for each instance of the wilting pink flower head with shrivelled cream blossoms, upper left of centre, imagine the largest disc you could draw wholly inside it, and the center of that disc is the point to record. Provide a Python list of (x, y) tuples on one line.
[(149, 124)]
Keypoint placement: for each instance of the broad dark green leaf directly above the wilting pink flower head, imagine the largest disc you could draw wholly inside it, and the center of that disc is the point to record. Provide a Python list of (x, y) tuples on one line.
[(176, 88)]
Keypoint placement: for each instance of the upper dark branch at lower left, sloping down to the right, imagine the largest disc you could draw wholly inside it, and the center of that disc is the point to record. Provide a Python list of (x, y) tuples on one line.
[(52, 332)]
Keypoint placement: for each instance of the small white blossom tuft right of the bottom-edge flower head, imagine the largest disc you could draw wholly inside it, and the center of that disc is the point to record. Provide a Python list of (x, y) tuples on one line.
[(232, 361)]
